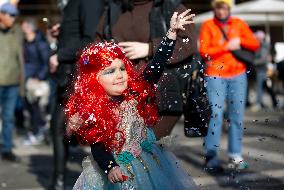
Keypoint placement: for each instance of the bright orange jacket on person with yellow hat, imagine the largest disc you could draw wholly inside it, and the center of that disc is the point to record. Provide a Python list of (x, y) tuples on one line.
[(220, 61)]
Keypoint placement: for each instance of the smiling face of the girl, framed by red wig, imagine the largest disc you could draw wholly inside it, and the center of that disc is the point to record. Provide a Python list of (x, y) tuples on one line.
[(114, 78)]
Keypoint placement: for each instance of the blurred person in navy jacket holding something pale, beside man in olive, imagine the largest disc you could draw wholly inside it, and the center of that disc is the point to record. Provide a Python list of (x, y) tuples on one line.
[(36, 57)]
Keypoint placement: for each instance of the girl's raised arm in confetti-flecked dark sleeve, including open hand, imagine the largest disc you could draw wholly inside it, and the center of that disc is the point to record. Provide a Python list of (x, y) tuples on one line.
[(154, 70)]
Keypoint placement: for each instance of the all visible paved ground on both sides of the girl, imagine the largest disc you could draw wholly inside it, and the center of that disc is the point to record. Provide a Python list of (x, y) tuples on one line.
[(263, 148)]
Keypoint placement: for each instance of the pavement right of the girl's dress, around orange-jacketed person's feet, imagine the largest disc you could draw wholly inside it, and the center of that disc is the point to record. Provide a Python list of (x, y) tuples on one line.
[(263, 149)]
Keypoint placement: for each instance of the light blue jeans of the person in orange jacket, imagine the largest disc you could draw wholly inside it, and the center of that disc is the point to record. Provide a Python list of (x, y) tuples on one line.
[(233, 91)]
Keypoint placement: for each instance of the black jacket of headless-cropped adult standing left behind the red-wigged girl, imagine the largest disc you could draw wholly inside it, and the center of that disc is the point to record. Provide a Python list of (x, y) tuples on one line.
[(78, 28)]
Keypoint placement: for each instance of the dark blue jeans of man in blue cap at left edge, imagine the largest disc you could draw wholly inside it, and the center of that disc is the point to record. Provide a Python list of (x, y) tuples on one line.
[(8, 99)]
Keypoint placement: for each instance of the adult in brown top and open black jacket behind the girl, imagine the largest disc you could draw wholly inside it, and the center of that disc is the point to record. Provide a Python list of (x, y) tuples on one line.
[(138, 27)]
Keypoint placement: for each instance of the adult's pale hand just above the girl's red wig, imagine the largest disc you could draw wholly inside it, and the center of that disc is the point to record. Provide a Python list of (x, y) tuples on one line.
[(135, 50)]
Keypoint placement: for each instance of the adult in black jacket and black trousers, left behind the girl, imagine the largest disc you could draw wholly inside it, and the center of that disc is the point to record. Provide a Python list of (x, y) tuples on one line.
[(78, 27)]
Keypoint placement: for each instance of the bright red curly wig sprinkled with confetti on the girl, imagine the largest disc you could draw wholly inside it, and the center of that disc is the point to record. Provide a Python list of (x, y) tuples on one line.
[(91, 102)]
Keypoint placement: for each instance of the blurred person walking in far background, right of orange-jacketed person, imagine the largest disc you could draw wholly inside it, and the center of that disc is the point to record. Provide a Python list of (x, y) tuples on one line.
[(261, 67)]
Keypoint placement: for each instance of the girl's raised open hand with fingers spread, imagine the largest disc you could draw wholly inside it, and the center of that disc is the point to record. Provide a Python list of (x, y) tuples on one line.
[(178, 22)]
